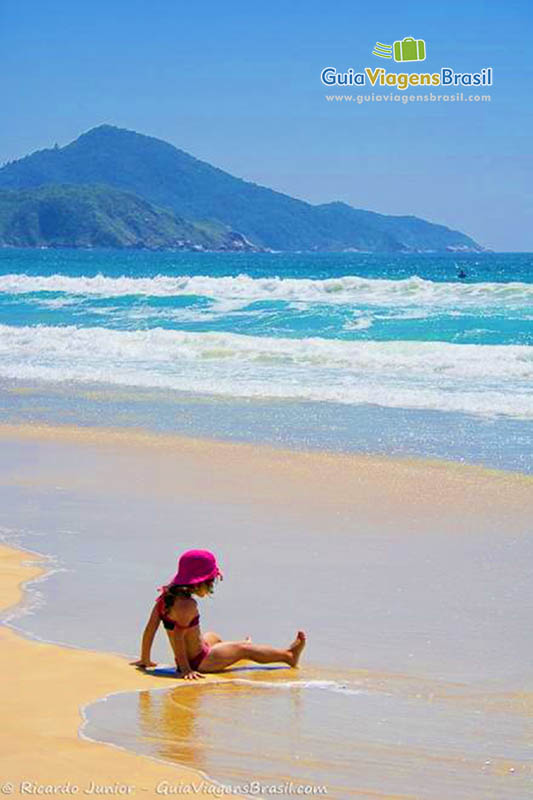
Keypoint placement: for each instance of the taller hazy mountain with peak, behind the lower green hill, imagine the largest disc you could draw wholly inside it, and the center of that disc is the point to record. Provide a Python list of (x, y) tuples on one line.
[(194, 190)]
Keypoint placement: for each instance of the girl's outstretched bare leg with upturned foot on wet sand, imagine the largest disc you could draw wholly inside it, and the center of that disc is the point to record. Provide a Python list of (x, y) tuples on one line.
[(224, 654)]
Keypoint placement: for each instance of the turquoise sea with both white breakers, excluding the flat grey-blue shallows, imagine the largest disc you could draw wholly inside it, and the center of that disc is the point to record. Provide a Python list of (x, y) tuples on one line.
[(400, 332)]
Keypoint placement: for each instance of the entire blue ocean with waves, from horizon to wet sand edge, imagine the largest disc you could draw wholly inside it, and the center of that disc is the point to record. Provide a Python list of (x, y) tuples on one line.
[(406, 354)]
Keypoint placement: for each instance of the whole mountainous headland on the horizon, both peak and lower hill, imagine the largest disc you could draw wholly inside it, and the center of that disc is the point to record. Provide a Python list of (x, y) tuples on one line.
[(116, 188)]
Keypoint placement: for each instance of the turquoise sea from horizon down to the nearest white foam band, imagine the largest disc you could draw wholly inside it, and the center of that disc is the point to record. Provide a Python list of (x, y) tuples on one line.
[(343, 297)]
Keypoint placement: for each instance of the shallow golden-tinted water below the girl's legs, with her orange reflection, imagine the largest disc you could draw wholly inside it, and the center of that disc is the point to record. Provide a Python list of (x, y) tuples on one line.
[(361, 734)]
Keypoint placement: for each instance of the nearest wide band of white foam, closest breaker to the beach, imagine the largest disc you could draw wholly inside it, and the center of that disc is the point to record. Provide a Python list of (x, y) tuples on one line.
[(478, 379)]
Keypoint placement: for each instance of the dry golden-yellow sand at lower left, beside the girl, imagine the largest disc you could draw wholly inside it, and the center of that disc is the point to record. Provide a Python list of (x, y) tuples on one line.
[(43, 693)]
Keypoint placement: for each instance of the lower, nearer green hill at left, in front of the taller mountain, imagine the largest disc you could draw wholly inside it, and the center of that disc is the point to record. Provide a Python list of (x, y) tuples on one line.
[(100, 216)]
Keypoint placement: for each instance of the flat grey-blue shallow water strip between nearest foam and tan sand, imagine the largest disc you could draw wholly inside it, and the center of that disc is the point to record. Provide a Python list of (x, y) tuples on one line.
[(494, 441)]
